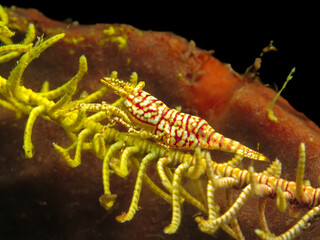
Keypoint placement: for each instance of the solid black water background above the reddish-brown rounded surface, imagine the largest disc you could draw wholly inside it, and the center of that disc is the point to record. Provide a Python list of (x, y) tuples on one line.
[(236, 33)]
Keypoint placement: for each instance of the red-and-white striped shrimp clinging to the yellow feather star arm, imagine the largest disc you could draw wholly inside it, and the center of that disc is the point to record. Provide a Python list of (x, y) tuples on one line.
[(169, 127)]
